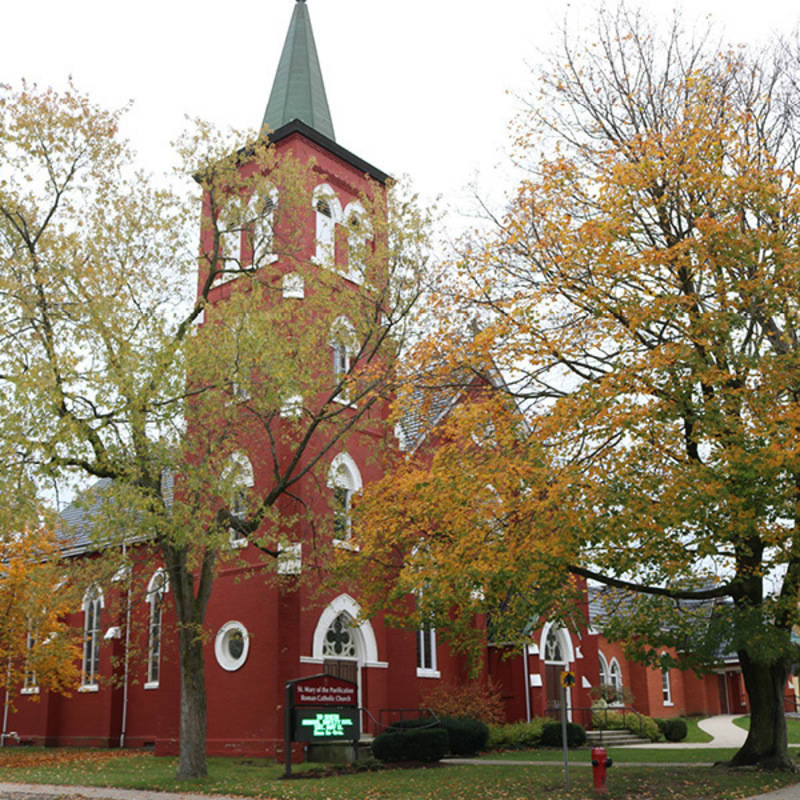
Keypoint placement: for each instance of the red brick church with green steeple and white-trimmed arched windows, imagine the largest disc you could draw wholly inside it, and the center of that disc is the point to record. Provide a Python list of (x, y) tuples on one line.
[(261, 635)]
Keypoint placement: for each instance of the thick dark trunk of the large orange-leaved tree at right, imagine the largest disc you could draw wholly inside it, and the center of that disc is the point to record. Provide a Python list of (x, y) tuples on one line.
[(765, 745)]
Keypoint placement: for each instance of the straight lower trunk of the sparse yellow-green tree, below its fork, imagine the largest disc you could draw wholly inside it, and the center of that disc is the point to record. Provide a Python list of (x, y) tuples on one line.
[(192, 758)]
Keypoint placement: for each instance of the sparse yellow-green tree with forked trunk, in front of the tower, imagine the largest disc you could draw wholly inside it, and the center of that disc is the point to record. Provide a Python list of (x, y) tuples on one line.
[(114, 368)]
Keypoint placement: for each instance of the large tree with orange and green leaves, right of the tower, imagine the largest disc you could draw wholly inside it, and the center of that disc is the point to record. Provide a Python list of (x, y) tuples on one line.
[(629, 337)]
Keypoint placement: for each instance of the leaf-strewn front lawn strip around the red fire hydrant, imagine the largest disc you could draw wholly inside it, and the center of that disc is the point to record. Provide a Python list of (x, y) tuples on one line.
[(252, 778)]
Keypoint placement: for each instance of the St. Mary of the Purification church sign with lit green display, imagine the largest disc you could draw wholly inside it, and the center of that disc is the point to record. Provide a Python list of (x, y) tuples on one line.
[(320, 709)]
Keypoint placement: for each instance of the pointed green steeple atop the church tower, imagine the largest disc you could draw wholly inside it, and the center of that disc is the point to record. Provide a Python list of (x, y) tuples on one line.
[(298, 91)]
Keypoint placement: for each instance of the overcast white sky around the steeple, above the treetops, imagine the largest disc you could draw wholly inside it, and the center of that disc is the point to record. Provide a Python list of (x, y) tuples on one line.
[(416, 87)]
